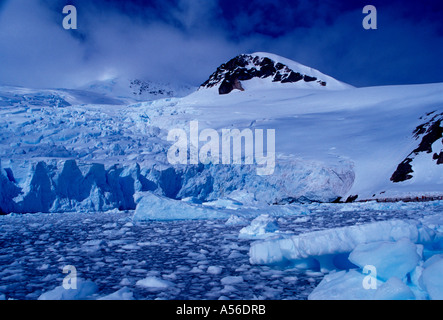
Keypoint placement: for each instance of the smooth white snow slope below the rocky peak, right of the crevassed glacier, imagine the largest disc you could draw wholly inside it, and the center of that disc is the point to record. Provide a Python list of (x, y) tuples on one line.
[(368, 129)]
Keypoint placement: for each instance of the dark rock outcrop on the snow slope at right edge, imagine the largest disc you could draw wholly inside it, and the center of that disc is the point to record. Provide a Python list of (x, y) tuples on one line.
[(429, 132)]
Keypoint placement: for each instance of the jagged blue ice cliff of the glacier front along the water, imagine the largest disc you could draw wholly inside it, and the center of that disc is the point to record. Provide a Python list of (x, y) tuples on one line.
[(51, 185)]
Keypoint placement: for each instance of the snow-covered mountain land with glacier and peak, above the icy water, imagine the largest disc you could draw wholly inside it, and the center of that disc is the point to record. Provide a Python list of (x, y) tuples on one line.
[(71, 150)]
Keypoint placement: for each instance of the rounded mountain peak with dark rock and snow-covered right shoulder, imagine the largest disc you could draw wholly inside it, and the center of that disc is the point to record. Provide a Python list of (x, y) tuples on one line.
[(272, 69)]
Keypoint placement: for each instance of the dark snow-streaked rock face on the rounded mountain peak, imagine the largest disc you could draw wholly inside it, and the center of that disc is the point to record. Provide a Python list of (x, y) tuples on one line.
[(245, 67)]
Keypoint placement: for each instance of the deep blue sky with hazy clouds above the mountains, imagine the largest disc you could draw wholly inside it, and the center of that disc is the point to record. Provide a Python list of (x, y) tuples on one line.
[(184, 41)]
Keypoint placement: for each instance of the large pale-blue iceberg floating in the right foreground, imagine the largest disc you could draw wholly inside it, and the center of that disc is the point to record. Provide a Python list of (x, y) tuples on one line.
[(376, 261)]
